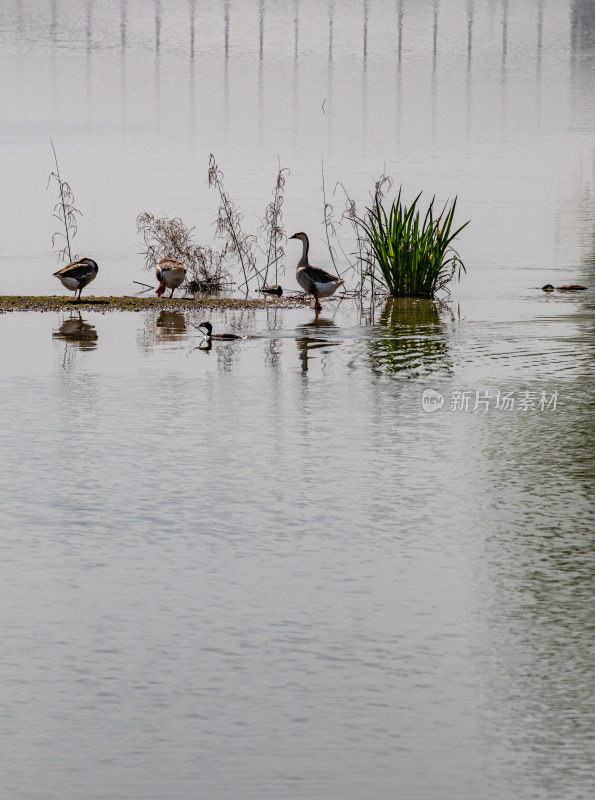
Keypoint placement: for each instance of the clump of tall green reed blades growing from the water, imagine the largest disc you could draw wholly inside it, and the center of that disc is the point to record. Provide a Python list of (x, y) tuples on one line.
[(411, 256)]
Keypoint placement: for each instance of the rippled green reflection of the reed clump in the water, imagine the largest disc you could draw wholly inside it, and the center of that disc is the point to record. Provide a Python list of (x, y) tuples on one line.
[(410, 338)]
